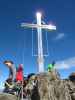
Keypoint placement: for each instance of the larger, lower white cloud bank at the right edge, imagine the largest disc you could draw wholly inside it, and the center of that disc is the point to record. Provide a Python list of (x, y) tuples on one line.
[(65, 64)]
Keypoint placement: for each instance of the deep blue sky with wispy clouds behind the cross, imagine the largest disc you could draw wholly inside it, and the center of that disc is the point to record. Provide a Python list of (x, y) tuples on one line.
[(16, 42)]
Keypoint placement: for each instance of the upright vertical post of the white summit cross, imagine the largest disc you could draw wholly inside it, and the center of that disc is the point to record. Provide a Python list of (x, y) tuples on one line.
[(40, 45)]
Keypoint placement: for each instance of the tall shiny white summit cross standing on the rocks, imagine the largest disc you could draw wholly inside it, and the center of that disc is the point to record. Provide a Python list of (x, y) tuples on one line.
[(39, 26)]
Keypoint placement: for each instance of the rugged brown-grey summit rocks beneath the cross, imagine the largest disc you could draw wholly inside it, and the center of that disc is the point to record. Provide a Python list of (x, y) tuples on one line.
[(47, 86)]
